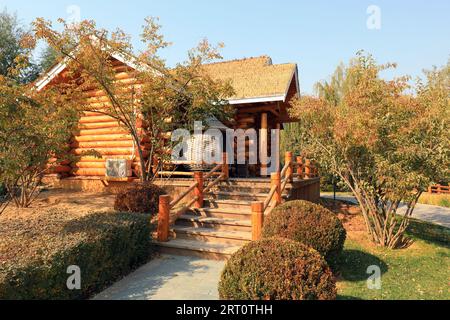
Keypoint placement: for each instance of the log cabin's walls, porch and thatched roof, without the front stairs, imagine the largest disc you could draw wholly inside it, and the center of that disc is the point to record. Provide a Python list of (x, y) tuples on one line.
[(263, 92)]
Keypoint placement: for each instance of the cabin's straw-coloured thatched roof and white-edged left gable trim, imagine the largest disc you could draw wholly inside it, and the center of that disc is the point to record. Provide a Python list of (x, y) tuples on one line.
[(253, 79)]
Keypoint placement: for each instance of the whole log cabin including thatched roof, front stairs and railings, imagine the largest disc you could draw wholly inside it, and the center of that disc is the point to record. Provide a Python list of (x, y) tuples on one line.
[(210, 214)]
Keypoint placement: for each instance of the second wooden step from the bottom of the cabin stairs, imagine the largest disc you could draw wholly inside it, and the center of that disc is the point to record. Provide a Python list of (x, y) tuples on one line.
[(228, 237)]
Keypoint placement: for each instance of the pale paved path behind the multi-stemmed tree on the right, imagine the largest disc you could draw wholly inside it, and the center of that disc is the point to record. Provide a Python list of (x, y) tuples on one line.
[(425, 212)]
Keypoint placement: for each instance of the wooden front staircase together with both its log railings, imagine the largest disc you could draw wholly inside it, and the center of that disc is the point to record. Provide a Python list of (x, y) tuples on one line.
[(228, 212)]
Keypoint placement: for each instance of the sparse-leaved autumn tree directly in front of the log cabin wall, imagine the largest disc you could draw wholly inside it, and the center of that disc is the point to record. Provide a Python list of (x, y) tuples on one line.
[(162, 100)]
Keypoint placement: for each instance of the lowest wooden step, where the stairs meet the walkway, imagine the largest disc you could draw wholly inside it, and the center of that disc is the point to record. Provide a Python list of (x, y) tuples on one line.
[(207, 250)]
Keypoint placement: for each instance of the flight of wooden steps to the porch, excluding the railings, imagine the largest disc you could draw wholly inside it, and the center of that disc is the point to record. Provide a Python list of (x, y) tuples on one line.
[(222, 225)]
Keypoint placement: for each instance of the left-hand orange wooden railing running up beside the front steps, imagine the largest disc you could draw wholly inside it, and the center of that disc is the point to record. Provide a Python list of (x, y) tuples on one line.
[(167, 214)]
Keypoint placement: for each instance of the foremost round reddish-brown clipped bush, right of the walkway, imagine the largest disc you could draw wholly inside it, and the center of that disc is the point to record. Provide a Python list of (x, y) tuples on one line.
[(276, 269)]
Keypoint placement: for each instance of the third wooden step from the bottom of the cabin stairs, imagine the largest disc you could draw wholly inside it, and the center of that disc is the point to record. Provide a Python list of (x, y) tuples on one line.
[(214, 223)]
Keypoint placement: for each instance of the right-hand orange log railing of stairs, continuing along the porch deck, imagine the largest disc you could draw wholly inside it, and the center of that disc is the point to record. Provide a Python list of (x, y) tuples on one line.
[(304, 169)]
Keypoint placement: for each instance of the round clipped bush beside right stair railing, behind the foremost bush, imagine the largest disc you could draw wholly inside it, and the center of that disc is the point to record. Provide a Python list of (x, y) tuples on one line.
[(308, 223)]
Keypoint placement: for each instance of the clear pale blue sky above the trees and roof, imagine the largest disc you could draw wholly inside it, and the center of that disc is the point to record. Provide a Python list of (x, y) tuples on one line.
[(316, 35)]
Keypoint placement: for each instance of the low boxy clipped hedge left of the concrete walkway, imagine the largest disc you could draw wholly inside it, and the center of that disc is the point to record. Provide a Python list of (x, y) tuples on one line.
[(35, 252)]
